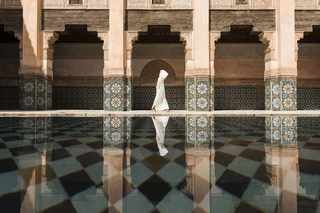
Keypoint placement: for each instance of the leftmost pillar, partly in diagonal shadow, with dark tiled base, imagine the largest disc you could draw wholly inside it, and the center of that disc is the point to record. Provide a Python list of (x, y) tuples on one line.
[(34, 83)]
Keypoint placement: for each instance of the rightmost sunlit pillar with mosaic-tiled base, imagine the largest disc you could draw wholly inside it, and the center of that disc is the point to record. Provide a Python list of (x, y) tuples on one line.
[(281, 64)]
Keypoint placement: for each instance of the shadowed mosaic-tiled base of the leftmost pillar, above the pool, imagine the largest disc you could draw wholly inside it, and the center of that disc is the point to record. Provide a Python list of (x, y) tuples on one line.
[(35, 94)]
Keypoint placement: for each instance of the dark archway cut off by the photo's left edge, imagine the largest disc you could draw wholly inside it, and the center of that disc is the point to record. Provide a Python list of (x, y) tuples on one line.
[(9, 70)]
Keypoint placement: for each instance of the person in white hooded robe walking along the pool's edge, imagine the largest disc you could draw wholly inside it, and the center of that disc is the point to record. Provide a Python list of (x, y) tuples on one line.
[(160, 102)]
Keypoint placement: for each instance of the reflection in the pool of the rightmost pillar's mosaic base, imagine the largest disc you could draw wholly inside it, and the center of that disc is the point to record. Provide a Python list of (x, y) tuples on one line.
[(281, 130)]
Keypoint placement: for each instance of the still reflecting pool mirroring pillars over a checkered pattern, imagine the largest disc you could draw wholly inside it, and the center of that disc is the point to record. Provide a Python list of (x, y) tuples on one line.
[(160, 164)]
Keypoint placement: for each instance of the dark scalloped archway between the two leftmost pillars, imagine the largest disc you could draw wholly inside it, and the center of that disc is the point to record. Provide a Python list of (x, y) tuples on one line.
[(78, 70)]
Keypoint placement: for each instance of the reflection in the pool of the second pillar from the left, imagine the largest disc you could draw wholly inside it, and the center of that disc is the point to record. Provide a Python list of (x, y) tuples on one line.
[(116, 132)]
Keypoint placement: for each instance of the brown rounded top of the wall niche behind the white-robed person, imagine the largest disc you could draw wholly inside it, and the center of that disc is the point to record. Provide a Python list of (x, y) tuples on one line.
[(150, 73)]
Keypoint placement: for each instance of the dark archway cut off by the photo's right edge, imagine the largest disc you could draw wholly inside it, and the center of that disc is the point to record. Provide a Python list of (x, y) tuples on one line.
[(308, 91)]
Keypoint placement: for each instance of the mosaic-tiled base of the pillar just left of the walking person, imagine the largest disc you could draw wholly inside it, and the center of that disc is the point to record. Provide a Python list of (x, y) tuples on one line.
[(117, 94)]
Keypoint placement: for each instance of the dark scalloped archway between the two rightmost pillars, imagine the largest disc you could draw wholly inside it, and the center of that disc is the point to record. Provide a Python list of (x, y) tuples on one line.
[(239, 70)]
